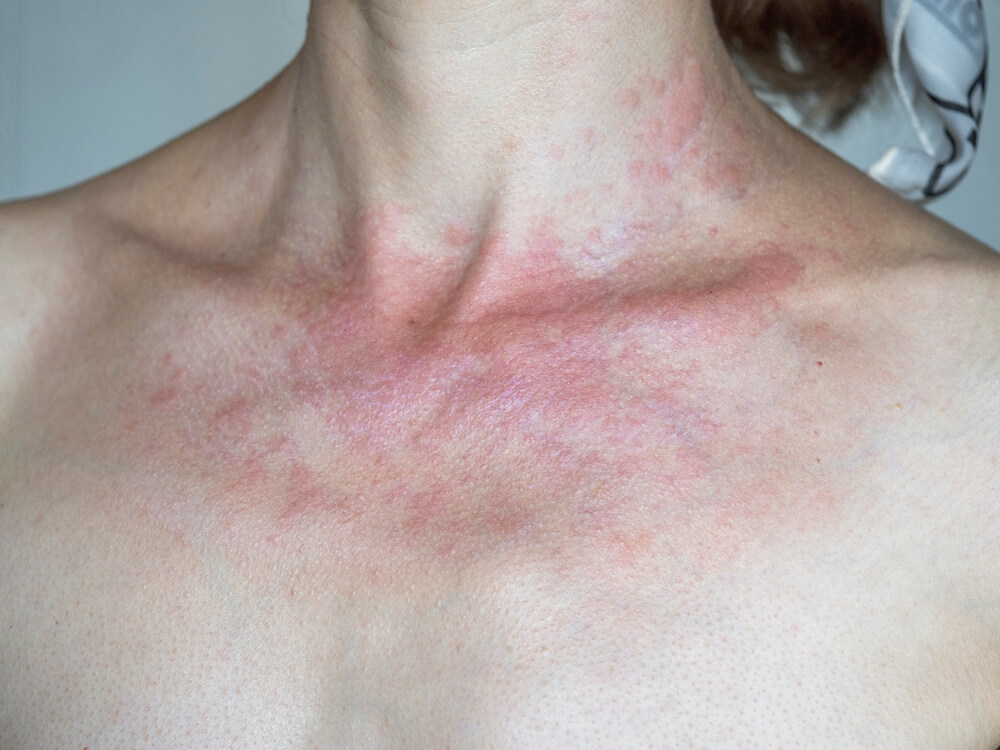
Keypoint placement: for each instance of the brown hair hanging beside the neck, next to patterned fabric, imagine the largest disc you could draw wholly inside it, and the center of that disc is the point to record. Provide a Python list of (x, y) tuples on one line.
[(824, 51)]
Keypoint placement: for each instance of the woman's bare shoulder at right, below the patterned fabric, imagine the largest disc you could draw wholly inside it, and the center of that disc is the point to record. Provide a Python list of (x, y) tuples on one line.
[(925, 292)]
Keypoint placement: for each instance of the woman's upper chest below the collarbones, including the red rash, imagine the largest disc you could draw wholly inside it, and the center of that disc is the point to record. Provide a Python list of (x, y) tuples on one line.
[(677, 519)]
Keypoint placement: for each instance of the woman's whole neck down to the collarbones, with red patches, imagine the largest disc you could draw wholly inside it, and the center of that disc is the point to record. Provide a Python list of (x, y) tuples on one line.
[(433, 150)]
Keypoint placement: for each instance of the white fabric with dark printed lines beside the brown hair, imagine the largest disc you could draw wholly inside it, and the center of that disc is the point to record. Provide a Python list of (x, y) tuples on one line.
[(938, 53)]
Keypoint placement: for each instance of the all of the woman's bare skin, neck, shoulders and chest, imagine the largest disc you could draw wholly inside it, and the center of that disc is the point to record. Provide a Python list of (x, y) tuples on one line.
[(503, 375)]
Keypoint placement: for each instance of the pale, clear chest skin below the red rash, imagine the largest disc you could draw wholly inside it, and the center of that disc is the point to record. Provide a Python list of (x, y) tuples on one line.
[(126, 627)]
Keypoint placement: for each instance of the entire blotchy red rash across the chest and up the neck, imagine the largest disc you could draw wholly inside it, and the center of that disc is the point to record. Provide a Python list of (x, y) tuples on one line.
[(556, 420)]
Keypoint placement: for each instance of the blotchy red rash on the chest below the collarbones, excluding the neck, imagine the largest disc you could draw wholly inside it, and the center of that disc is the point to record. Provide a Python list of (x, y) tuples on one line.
[(544, 429)]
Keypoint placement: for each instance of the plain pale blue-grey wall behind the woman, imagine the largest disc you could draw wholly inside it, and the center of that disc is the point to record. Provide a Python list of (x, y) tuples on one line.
[(86, 85)]
